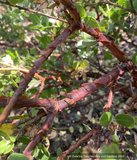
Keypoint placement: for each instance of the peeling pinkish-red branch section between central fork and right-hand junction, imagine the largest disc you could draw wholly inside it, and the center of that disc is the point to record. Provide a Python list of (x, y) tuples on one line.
[(88, 88)]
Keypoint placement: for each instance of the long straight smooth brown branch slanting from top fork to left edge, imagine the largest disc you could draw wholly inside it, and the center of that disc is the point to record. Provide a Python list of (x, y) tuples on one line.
[(68, 31)]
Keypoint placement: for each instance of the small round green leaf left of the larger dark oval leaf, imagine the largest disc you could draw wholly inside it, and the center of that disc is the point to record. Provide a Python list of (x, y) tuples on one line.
[(105, 119)]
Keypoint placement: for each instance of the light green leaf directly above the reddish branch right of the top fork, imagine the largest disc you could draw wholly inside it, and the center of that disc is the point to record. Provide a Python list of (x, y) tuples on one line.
[(91, 22)]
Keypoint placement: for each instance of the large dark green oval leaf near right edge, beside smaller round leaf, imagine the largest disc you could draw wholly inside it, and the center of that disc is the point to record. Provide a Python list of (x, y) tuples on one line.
[(125, 120)]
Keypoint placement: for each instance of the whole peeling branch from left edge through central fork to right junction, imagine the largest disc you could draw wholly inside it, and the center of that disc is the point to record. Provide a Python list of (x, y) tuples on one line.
[(74, 96)]
